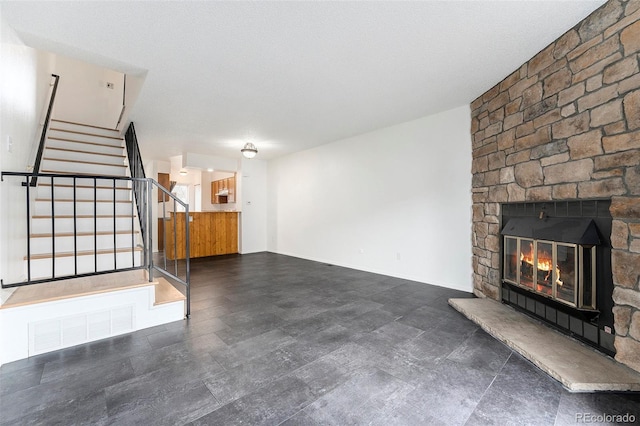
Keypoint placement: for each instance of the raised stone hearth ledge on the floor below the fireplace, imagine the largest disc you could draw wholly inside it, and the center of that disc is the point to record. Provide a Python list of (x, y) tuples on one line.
[(578, 367)]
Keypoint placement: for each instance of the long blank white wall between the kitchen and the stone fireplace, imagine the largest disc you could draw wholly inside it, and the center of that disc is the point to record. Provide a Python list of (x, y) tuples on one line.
[(396, 201)]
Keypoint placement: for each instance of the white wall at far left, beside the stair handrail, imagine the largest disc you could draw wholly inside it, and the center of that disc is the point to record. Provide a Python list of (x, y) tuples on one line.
[(25, 74)]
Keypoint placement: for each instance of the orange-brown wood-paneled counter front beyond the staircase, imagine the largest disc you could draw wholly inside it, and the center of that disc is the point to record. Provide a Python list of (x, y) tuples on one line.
[(210, 234)]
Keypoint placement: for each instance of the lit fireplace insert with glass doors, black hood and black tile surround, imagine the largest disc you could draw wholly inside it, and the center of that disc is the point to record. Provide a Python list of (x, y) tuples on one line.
[(556, 266)]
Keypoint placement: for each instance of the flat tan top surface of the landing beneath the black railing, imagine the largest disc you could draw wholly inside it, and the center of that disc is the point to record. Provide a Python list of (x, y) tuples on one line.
[(76, 287)]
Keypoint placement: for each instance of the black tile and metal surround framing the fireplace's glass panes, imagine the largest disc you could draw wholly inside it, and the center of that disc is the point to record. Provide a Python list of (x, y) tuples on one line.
[(587, 225)]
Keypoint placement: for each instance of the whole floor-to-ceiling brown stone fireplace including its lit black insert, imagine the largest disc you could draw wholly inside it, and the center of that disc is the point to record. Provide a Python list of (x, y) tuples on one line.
[(564, 130)]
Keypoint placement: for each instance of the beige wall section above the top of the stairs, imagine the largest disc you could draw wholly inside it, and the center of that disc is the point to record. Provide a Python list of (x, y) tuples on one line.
[(83, 95)]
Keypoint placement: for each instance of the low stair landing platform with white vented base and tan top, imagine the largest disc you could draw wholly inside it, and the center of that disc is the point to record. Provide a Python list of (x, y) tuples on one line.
[(59, 314)]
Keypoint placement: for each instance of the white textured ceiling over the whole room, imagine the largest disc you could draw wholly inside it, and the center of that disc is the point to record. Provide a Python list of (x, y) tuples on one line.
[(293, 75)]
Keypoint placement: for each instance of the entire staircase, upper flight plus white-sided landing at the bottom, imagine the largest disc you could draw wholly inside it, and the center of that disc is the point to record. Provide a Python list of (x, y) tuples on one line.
[(83, 221)]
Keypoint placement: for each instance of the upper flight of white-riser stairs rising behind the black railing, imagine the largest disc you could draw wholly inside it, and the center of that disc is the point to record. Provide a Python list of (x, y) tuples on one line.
[(76, 149)]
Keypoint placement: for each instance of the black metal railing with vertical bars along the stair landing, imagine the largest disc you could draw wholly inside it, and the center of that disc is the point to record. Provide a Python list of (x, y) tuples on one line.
[(140, 205)]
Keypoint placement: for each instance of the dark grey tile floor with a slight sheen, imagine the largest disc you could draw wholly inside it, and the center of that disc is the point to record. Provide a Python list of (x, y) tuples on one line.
[(279, 340)]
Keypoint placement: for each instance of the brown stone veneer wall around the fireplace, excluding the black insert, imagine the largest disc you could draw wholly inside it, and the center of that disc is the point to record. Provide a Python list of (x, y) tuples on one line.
[(566, 126)]
